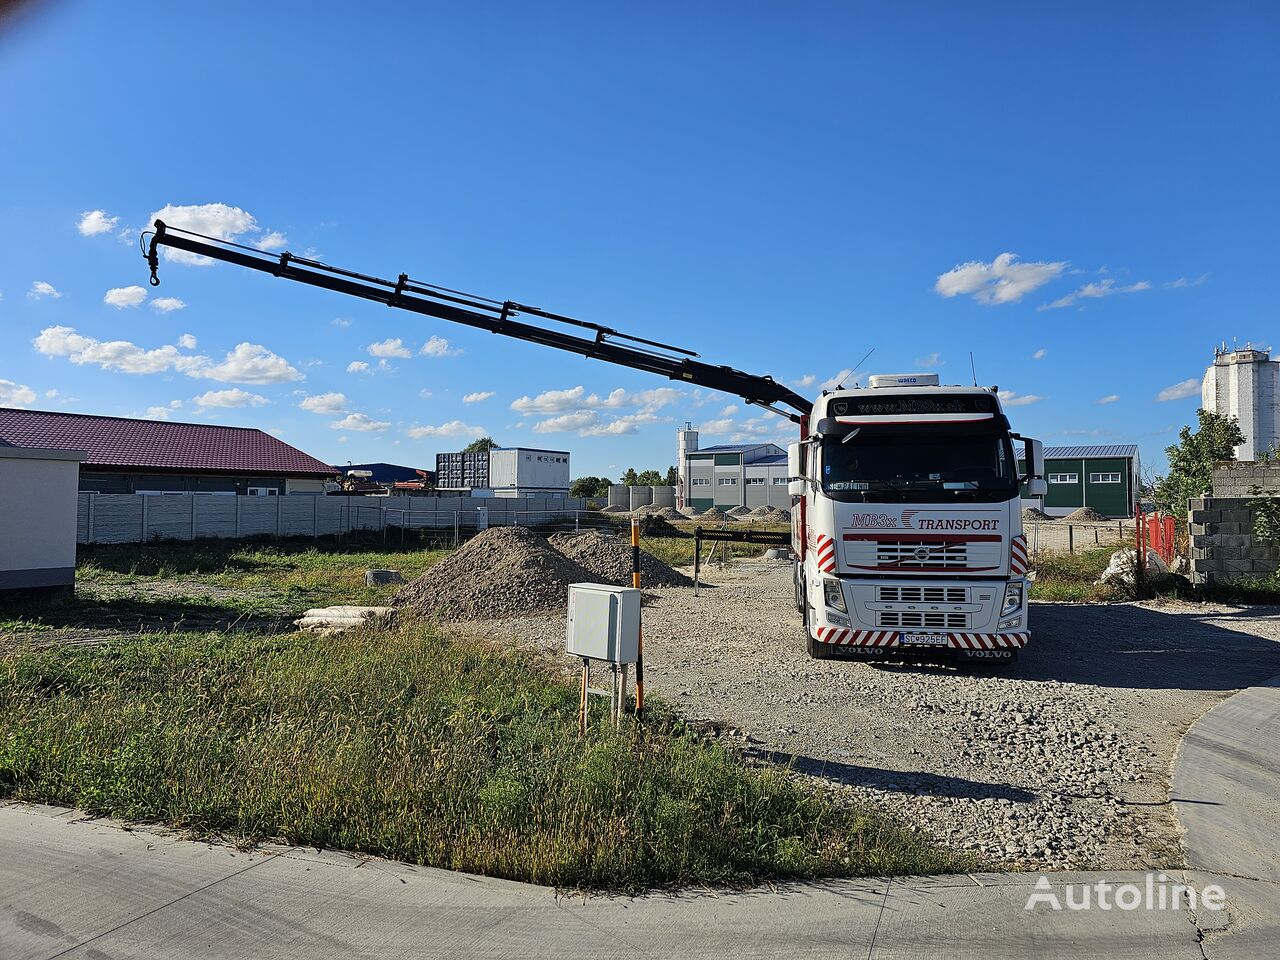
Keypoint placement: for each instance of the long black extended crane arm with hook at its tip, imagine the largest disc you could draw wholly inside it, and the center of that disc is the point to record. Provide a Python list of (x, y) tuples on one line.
[(492, 316)]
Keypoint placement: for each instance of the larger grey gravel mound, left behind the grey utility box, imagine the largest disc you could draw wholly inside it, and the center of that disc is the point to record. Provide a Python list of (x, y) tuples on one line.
[(505, 572)]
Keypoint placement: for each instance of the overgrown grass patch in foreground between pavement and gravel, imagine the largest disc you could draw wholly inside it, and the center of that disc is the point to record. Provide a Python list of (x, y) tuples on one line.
[(417, 747)]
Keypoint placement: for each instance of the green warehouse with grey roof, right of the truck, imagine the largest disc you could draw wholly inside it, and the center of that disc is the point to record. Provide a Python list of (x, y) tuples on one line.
[(1104, 478)]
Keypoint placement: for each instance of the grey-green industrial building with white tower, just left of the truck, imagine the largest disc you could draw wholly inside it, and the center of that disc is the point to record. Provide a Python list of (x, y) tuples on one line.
[(730, 476)]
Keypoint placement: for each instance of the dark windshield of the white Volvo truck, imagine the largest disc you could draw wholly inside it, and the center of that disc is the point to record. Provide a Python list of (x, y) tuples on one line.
[(953, 464)]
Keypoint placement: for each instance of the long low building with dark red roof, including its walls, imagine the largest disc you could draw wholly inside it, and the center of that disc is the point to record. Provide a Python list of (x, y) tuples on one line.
[(156, 456)]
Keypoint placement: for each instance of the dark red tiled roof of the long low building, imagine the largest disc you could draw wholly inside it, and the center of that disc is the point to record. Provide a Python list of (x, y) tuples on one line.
[(158, 445)]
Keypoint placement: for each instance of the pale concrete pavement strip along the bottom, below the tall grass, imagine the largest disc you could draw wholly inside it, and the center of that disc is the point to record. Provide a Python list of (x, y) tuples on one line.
[(83, 889)]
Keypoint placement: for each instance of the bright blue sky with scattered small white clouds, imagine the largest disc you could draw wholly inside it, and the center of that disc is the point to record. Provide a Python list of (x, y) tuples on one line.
[(1084, 198)]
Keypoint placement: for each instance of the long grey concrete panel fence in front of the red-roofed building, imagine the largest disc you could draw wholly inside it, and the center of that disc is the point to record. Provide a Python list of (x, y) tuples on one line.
[(139, 519)]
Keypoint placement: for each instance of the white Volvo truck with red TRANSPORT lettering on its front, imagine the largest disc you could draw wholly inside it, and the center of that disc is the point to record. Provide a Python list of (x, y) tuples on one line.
[(908, 531)]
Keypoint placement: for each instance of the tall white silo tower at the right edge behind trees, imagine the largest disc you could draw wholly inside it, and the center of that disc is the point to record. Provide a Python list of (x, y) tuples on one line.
[(1244, 385)]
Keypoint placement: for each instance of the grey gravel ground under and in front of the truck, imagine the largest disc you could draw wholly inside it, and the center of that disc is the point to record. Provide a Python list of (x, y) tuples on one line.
[(1060, 762)]
